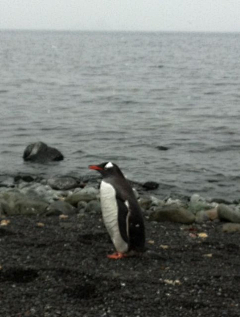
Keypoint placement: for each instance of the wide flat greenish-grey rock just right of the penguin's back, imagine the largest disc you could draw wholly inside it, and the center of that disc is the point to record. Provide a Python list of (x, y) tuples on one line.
[(172, 213)]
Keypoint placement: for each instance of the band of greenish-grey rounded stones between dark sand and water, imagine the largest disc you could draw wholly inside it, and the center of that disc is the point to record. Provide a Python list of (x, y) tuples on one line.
[(27, 194)]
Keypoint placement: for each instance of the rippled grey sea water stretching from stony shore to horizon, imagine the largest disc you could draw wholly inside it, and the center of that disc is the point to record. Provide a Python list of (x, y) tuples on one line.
[(164, 106)]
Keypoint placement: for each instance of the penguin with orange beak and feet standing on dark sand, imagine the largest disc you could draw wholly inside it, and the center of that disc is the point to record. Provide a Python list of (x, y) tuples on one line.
[(121, 212)]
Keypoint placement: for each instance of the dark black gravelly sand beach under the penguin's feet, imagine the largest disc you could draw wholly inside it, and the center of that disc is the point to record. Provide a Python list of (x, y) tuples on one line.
[(61, 269)]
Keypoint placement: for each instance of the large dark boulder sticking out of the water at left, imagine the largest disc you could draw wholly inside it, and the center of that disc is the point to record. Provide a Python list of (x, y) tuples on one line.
[(41, 153)]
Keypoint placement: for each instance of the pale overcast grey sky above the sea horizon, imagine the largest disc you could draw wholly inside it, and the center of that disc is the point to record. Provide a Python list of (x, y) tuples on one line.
[(122, 15)]
